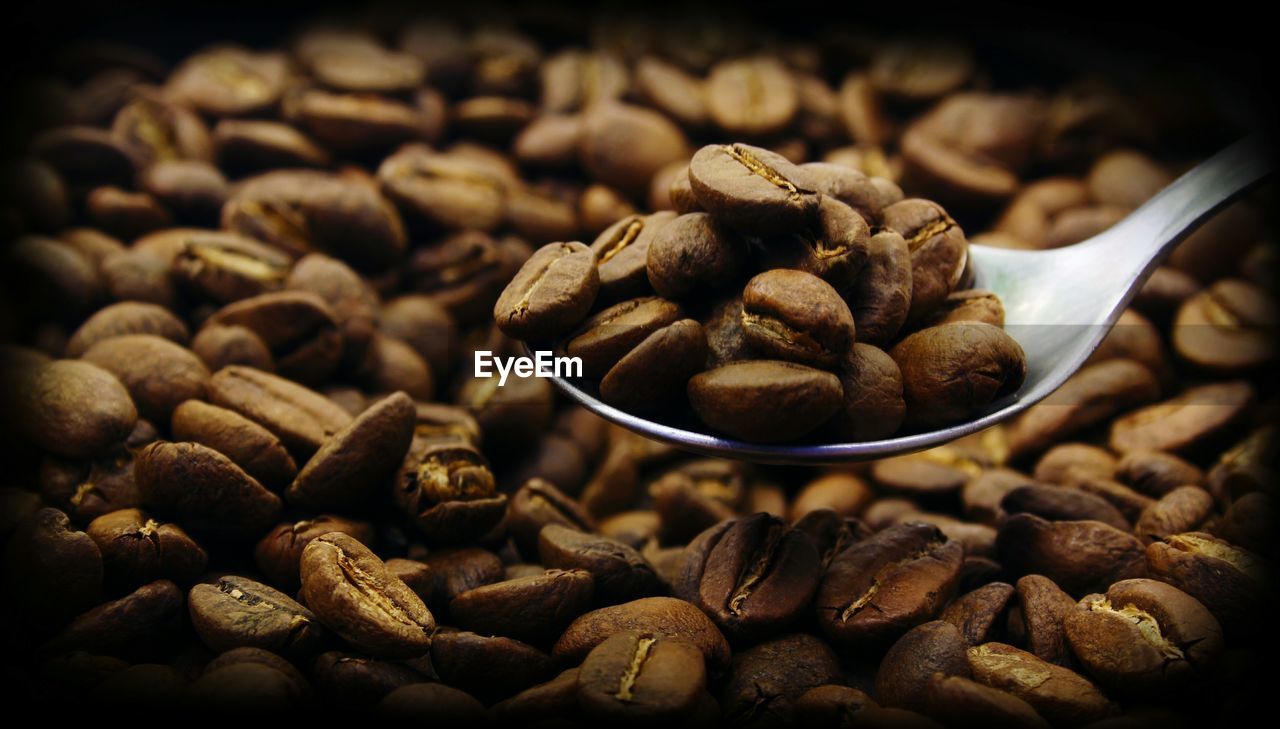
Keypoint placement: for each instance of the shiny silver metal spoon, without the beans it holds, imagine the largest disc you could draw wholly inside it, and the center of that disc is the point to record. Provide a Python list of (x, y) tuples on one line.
[(1059, 305)]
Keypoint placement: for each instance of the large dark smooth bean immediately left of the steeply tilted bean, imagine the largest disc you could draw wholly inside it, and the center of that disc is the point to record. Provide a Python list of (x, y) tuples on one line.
[(204, 490)]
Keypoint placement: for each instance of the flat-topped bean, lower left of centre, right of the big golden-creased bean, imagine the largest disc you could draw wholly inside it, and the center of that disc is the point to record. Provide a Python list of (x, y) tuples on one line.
[(532, 609)]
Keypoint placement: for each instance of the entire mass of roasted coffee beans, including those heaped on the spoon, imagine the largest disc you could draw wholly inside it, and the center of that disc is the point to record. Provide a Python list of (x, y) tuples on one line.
[(250, 473)]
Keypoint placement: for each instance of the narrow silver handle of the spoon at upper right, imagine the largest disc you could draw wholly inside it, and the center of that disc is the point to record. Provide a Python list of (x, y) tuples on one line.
[(1162, 223)]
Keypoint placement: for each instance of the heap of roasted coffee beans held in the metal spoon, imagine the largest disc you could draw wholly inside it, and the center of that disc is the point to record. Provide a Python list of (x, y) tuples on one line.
[(803, 343)]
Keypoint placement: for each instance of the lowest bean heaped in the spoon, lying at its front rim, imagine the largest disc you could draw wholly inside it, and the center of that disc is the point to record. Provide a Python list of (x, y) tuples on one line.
[(765, 401)]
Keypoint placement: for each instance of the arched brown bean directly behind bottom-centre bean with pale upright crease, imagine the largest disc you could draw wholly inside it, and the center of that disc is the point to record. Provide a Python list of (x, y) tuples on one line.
[(657, 617)]
